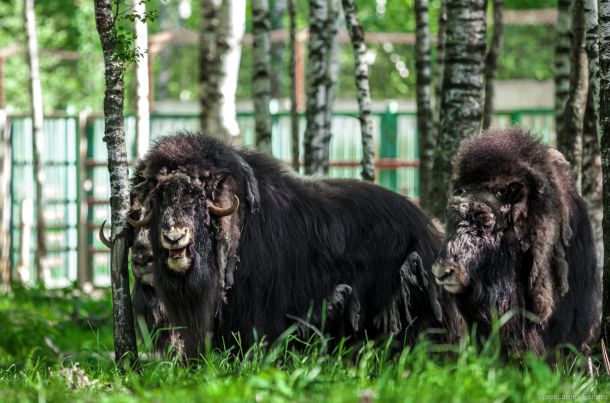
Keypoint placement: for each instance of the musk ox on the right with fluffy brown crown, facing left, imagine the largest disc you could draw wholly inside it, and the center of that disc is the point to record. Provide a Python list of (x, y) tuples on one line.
[(518, 239)]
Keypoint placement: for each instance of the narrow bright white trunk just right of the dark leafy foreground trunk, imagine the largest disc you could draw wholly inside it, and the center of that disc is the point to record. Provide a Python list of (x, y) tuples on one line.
[(143, 107)]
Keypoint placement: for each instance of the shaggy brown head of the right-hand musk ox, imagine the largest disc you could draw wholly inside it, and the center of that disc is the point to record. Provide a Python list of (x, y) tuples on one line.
[(507, 223)]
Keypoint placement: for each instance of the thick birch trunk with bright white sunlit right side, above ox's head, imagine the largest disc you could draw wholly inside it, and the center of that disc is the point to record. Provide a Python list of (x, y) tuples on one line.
[(222, 29)]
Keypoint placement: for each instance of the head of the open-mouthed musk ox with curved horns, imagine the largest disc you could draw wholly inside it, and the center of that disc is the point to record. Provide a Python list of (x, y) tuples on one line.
[(189, 198)]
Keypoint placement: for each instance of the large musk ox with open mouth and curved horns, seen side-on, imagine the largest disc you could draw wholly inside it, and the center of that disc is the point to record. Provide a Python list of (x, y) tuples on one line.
[(244, 248)]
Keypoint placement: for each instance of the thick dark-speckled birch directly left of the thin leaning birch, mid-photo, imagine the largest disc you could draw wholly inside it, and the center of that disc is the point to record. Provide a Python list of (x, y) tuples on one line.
[(321, 77)]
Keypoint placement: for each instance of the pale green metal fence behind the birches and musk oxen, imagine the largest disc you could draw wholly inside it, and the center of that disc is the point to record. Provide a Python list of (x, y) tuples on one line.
[(77, 189)]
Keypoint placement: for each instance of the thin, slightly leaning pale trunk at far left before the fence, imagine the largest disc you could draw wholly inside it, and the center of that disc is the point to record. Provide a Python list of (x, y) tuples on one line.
[(37, 134)]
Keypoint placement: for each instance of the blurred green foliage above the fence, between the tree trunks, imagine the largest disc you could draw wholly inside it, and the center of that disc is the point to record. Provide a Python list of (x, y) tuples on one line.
[(75, 84)]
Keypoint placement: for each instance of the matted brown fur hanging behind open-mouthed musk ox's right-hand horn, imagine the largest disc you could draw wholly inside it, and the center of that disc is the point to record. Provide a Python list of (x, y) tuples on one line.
[(228, 234)]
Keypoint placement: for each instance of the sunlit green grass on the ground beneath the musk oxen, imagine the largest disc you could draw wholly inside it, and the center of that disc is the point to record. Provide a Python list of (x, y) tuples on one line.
[(56, 346)]
